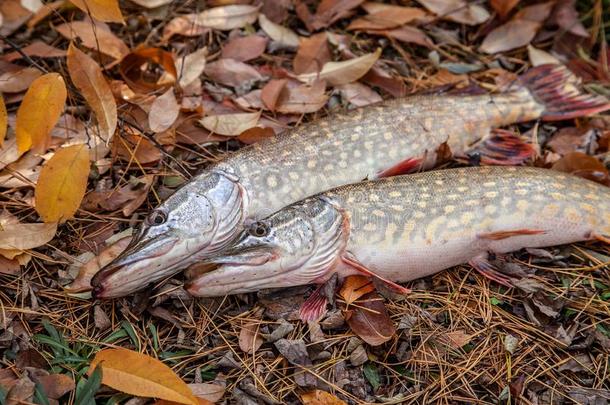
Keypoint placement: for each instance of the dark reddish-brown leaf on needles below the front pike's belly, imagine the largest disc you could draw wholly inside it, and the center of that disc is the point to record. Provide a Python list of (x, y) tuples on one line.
[(369, 319)]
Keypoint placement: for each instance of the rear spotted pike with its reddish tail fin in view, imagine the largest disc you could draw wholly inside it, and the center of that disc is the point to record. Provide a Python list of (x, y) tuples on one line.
[(397, 136)]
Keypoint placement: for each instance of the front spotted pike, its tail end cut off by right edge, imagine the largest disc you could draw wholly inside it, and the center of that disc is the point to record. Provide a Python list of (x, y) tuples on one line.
[(406, 227)]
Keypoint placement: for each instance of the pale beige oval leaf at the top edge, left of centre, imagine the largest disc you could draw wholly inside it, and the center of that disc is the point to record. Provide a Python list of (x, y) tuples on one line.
[(228, 17)]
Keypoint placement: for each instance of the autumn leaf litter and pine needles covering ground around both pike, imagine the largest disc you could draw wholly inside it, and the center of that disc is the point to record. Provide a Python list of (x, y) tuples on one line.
[(107, 111)]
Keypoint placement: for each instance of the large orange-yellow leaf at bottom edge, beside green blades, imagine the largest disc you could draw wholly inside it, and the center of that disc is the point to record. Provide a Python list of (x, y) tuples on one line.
[(137, 374)]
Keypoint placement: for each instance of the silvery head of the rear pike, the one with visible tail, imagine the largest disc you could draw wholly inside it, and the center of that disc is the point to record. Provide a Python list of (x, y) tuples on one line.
[(194, 223)]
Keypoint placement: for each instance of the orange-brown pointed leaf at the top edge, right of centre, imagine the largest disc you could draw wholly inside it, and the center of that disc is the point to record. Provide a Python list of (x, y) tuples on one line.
[(383, 16)]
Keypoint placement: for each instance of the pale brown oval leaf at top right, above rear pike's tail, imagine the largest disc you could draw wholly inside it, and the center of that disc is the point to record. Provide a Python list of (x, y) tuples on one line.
[(513, 34)]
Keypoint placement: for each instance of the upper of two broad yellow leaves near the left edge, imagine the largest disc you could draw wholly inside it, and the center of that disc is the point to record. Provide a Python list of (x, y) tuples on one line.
[(40, 109)]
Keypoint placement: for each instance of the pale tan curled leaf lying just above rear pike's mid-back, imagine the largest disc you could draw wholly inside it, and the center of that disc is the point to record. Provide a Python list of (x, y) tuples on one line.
[(338, 73)]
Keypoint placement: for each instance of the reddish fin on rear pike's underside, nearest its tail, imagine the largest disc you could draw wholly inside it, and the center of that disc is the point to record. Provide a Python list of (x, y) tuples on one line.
[(504, 148)]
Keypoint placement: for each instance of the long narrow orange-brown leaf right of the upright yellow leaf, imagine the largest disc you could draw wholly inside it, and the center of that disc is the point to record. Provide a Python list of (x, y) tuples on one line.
[(88, 78)]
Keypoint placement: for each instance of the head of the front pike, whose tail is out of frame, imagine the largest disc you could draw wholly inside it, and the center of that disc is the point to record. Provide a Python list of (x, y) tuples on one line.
[(297, 245)]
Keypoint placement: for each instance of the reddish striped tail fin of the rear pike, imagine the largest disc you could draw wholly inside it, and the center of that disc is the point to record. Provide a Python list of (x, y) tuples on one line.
[(555, 87)]
